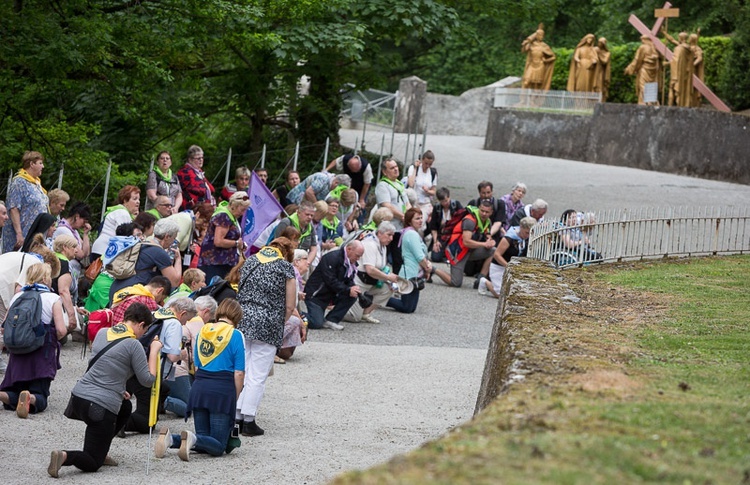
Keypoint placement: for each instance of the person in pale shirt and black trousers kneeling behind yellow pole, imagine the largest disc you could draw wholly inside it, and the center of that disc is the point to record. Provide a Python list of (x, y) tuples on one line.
[(170, 336)]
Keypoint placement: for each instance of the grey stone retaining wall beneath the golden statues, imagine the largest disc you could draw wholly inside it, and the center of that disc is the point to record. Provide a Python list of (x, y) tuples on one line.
[(696, 142)]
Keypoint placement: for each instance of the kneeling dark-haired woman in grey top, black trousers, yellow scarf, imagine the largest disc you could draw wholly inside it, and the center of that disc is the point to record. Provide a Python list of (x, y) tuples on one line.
[(98, 397)]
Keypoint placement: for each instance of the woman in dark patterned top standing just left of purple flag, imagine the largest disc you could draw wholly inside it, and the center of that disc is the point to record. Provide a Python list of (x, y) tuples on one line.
[(222, 244)]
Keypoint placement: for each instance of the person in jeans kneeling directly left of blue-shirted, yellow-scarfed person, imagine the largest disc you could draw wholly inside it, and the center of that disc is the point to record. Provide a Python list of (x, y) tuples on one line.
[(184, 373)]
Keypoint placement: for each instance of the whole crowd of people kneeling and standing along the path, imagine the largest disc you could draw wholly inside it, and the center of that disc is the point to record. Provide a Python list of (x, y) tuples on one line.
[(177, 284)]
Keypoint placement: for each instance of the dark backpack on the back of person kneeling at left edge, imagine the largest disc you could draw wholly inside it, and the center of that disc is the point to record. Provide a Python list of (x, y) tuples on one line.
[(24, 331)]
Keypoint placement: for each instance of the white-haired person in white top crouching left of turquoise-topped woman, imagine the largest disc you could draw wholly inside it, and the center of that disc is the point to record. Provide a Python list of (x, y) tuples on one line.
[(374, 277)]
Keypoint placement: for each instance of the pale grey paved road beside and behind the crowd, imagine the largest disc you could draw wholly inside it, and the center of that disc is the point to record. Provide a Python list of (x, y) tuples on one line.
[(352, 399)]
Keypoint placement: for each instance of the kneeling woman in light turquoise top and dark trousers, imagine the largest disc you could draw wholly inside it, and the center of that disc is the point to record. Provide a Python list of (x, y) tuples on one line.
[(416, 263)]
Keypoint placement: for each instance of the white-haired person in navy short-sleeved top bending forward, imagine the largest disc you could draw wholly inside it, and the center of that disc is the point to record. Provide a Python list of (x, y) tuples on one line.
[(158, 255)]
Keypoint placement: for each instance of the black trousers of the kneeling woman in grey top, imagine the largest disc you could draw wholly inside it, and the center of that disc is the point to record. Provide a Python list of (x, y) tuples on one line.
[(101, 427)]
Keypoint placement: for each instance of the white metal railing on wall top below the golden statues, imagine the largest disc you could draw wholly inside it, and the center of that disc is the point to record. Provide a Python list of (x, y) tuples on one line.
[(554, 101)]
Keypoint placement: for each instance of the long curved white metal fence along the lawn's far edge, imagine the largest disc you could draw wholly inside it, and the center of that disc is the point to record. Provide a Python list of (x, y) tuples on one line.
[(620, 235)]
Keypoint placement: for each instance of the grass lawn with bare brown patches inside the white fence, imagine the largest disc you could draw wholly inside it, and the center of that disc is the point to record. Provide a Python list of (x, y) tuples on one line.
[(646, 379)]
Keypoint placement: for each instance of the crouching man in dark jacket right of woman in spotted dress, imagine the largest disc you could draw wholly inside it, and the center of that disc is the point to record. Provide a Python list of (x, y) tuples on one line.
[(332, 283)]
